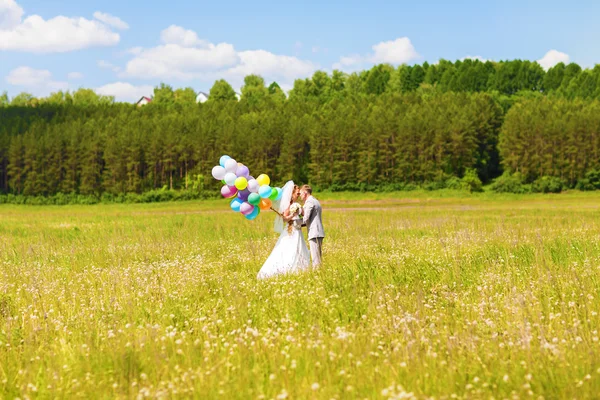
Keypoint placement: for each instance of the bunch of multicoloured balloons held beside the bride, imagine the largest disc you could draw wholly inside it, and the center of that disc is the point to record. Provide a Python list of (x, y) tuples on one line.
[(249, 195)]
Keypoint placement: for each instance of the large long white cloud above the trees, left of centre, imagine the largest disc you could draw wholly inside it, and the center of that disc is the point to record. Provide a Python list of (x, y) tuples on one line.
[(184, 56)]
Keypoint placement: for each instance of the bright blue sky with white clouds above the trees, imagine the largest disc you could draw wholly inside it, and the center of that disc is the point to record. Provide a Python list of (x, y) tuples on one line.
[(125, 48)]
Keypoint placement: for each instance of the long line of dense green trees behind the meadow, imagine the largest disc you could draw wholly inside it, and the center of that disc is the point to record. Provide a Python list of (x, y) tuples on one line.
[(385, 128)]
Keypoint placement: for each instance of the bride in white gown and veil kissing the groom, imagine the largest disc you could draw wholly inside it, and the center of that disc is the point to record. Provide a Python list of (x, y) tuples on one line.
[(290, 253)]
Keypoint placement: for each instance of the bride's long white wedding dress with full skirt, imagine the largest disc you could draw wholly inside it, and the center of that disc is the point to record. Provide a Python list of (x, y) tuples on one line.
[(289, 255)]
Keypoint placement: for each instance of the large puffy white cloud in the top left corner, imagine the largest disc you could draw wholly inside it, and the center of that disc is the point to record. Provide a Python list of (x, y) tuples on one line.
[(59, 34)]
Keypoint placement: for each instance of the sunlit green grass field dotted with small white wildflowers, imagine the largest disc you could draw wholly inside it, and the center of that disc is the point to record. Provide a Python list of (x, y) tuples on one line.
[(428, 296)]
